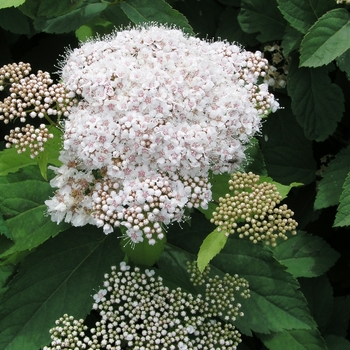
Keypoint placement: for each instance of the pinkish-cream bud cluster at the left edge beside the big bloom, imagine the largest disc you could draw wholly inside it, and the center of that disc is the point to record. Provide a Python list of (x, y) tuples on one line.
[(31, 95)]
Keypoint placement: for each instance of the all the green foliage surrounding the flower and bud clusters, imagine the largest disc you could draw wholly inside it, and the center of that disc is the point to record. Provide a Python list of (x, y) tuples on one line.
[(299, 289)]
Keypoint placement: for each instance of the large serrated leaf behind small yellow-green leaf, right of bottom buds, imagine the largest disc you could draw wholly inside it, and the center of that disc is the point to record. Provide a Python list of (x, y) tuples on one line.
[(273, 290)]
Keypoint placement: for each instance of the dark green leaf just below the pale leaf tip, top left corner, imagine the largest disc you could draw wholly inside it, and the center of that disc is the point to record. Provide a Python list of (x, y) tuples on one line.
[(14, 21)]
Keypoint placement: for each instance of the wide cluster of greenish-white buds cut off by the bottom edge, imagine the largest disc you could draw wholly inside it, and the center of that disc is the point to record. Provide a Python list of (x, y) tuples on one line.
[(137, 311)]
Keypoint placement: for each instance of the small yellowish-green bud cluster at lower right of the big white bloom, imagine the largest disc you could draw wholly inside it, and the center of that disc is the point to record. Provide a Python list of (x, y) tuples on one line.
[(251, 210)]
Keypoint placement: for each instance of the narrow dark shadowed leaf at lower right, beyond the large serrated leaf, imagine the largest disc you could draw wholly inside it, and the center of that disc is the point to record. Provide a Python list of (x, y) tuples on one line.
[(319, 295)]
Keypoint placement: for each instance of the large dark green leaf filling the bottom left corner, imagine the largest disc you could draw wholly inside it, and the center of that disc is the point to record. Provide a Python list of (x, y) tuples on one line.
[(59, 277)]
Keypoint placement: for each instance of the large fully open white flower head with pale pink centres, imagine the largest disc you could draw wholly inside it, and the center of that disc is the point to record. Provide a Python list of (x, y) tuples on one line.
[(158, 110)]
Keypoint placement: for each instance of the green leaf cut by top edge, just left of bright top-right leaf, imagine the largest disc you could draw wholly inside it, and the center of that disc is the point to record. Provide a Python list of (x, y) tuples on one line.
[(303, 14)]
